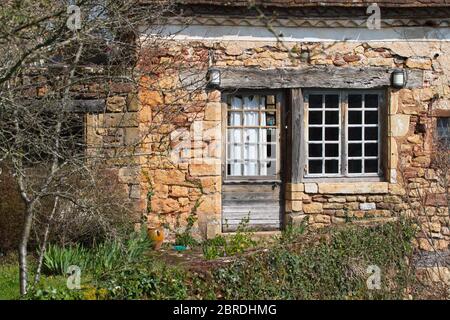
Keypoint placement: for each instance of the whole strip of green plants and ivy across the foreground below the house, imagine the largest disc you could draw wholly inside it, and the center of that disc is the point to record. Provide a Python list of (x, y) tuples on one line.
[(299, 265)]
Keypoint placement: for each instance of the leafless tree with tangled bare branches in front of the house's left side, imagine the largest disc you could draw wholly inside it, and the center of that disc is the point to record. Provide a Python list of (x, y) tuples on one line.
[(43, 63)]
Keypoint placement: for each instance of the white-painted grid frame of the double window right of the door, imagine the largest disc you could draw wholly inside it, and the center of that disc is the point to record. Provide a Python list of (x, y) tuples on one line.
[(343, 136)]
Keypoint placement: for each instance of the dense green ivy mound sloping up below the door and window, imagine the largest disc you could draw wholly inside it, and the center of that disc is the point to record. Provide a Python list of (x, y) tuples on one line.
[(330, 268)]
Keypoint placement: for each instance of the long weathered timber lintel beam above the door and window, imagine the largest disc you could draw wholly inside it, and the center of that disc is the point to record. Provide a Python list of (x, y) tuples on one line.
[(314, 77)]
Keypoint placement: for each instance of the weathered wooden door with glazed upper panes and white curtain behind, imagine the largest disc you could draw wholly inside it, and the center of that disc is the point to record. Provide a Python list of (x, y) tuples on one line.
[(252, 184)]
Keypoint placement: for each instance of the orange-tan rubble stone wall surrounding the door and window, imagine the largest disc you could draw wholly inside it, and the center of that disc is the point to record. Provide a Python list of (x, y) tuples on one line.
[(171, 190)]
